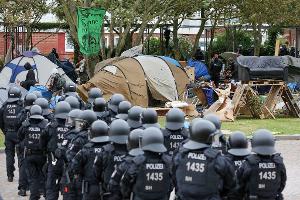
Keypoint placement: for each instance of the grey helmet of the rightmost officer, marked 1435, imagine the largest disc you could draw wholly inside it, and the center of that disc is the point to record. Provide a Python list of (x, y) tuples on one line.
[(263, 142)]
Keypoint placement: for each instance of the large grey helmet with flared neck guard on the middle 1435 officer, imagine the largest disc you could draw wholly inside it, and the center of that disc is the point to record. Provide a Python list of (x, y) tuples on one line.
[(200, 135)]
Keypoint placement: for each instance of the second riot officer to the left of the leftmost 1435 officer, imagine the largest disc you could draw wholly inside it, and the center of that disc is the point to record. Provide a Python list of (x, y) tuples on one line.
[(113, 154)]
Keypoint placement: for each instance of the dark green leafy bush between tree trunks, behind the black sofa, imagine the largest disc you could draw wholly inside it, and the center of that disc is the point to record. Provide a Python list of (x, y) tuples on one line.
[(232, 40)]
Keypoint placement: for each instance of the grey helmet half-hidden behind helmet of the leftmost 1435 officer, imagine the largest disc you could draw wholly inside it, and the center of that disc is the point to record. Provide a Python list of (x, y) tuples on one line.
[(133, 144)]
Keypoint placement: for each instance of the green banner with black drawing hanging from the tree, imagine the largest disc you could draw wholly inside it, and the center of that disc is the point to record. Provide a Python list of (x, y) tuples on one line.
[(90, 22)]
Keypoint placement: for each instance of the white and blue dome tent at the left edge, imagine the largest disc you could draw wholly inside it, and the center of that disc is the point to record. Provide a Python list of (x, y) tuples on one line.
[(14, 71)]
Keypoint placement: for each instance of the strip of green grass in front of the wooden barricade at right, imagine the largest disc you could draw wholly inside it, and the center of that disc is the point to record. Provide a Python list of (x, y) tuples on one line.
[(277, 126)]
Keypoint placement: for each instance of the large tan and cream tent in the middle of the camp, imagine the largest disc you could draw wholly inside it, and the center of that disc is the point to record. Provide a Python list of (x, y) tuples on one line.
[(139, 79)]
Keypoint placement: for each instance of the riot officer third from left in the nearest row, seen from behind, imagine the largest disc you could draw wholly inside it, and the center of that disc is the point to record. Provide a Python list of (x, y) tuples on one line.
[(55, 136)]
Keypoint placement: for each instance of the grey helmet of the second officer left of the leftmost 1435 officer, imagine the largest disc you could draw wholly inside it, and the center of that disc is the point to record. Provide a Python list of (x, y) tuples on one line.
[(119, 131)]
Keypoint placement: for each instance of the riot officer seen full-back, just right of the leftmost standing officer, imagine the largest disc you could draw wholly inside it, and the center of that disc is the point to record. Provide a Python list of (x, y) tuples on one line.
[(32, 134)]
